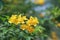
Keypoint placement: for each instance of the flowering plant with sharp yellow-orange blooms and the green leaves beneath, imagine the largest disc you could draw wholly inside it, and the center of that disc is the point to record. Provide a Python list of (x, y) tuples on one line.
[(21, 27)]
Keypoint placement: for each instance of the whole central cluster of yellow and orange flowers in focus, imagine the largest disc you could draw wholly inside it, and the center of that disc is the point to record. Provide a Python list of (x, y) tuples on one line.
[(25, 25)]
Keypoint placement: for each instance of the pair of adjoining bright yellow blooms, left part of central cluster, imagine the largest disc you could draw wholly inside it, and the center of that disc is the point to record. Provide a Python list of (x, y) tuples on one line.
[(16, 19)]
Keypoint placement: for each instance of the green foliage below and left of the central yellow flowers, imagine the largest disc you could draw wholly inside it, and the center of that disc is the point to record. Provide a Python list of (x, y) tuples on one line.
[(12, 31)]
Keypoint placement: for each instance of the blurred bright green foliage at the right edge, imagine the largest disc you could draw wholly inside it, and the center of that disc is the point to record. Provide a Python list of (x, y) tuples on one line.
[(55, 14)]
